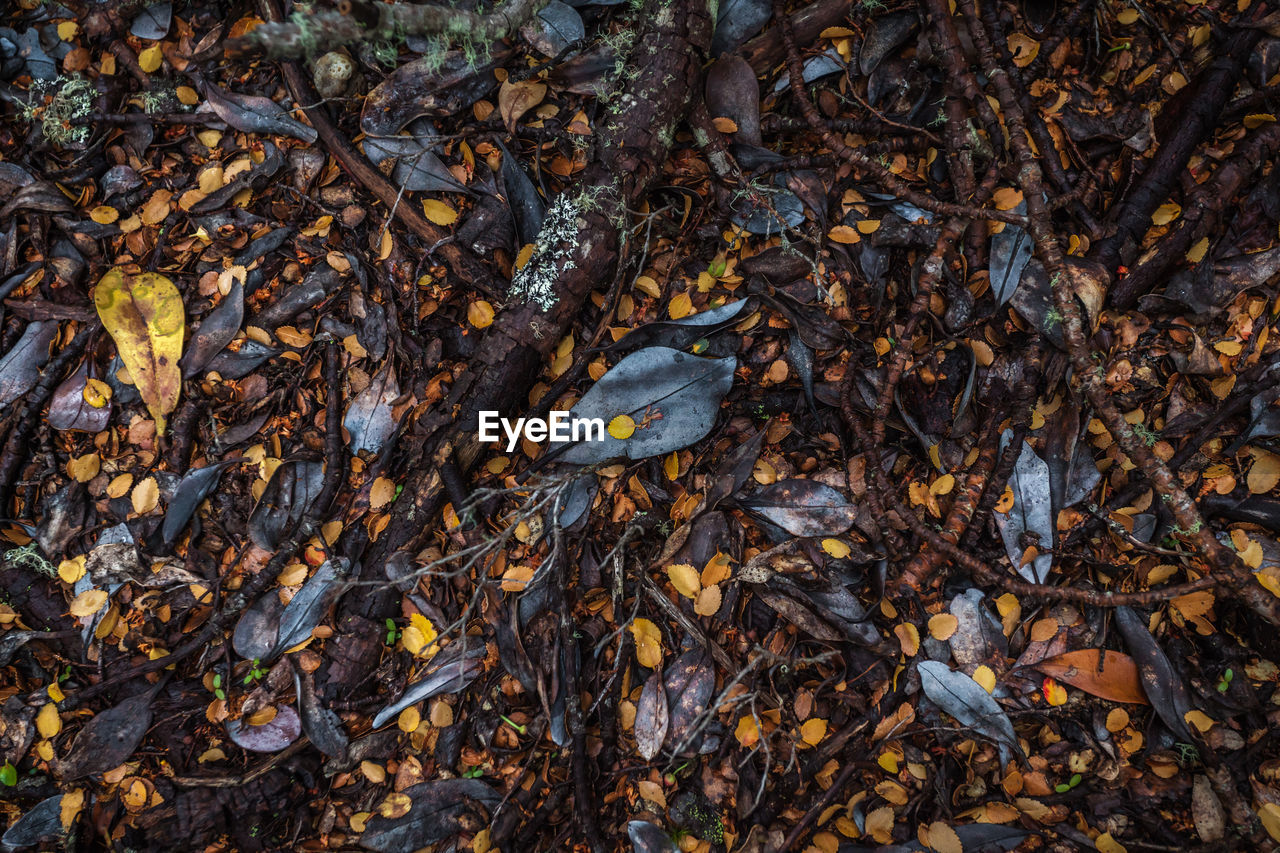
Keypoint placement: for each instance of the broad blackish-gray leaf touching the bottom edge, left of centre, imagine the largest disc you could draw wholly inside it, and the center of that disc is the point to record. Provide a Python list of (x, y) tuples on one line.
[(437, 813)]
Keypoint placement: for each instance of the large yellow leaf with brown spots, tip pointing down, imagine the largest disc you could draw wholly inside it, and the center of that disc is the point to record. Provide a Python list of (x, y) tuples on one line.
[(145, 317)]
